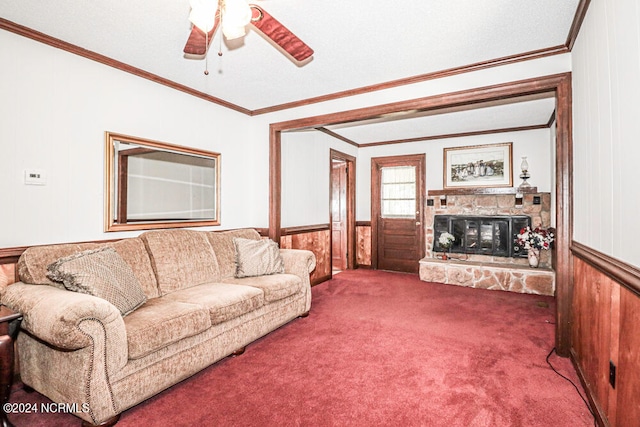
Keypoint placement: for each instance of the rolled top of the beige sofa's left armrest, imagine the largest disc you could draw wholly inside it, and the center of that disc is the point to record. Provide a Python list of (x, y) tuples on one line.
[(56, 316)]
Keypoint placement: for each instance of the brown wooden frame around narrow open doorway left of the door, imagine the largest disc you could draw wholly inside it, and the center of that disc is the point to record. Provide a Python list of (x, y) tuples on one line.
[(351, 206)]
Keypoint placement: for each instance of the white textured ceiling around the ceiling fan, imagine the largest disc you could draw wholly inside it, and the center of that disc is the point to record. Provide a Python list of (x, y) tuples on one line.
[(357, 43)]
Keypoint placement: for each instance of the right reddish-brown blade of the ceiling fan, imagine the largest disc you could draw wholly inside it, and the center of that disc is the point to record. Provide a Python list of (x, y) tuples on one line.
[(281, 35)]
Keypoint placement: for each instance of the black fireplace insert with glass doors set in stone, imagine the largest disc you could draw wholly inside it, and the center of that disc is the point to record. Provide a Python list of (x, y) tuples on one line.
[(482, 235)]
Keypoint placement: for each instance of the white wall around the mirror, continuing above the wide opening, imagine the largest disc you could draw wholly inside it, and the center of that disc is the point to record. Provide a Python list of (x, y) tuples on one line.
[(55, 108)]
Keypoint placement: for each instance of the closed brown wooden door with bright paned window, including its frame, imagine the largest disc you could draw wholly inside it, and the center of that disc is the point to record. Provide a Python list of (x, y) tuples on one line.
[(397, 200)]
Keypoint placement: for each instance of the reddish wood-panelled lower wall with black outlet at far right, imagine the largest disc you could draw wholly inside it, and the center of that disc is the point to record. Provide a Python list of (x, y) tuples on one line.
[(605, 320)]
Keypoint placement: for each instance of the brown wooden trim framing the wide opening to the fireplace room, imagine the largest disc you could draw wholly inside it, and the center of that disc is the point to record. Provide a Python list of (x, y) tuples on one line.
[(558, 84)]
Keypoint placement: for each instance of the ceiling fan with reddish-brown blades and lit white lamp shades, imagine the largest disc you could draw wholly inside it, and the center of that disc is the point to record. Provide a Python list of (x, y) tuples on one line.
[(234, 15)]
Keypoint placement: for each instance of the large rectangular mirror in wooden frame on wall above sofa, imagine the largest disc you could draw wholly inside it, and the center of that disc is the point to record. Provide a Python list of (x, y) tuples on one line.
[(150, 184)]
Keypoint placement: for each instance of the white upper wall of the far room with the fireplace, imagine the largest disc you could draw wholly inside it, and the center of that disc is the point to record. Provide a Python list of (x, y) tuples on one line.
[(305, 168)]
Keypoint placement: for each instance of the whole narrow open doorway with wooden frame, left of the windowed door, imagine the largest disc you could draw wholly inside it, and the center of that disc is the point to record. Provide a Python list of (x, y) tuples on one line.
[(342, 211)]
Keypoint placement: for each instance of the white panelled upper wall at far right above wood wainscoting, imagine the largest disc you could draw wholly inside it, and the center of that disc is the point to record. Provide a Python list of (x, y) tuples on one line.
[(606, 129)]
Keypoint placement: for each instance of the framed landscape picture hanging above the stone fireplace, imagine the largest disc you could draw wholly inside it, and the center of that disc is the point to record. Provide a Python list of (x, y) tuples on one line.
[(488, 165)]
